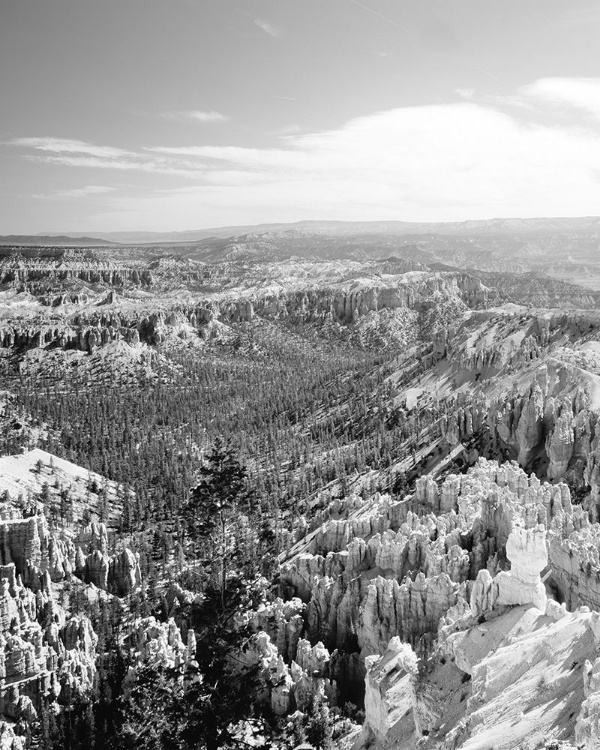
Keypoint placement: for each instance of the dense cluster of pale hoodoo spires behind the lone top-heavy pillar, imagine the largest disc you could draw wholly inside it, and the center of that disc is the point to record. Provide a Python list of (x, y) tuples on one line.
[(399, 573)]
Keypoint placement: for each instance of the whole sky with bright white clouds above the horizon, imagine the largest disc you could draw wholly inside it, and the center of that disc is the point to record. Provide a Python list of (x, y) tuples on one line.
[(165, 115)]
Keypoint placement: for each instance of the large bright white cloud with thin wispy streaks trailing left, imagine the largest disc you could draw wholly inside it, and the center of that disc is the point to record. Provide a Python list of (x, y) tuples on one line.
[(473, 158)]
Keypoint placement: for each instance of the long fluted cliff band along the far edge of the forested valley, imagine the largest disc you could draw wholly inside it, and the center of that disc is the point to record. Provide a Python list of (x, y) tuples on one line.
[(88, 329)]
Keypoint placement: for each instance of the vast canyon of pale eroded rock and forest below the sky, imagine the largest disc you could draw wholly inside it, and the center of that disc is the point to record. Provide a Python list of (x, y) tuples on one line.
[(437, 568)]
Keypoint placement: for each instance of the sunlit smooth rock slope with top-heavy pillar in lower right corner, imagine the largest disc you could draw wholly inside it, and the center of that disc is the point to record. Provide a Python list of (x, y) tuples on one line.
[(497, 664)]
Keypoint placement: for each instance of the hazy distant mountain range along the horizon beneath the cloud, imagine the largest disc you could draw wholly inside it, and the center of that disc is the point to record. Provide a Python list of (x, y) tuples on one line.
[(534, 226)]
